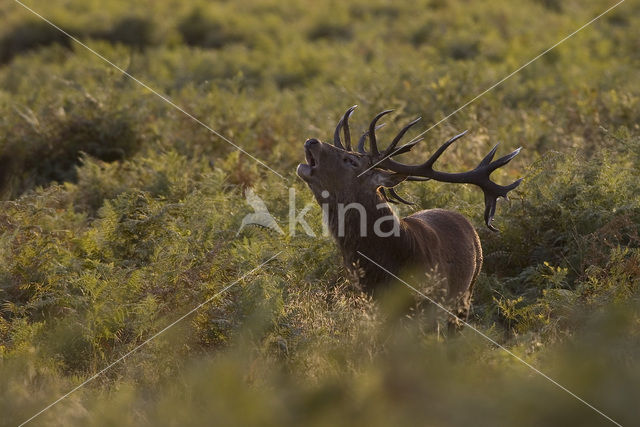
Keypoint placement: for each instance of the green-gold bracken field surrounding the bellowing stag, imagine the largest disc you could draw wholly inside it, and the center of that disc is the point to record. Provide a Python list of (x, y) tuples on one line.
[(119, 214)]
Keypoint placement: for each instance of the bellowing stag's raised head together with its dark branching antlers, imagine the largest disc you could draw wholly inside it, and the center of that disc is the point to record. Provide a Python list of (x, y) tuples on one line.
[(339, 173)]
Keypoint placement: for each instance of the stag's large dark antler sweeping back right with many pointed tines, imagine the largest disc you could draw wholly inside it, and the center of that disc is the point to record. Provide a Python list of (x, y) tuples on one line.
[(479, 176)]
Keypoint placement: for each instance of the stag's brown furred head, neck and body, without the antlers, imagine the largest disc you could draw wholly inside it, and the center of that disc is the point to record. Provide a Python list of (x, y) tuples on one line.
[(434, 240)]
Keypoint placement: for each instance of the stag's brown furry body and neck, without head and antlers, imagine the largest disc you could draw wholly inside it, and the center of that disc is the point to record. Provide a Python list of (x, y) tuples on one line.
[(434, 240)]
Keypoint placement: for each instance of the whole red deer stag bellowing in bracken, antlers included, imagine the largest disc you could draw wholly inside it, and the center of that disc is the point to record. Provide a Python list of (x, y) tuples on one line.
[(354, 188)]
